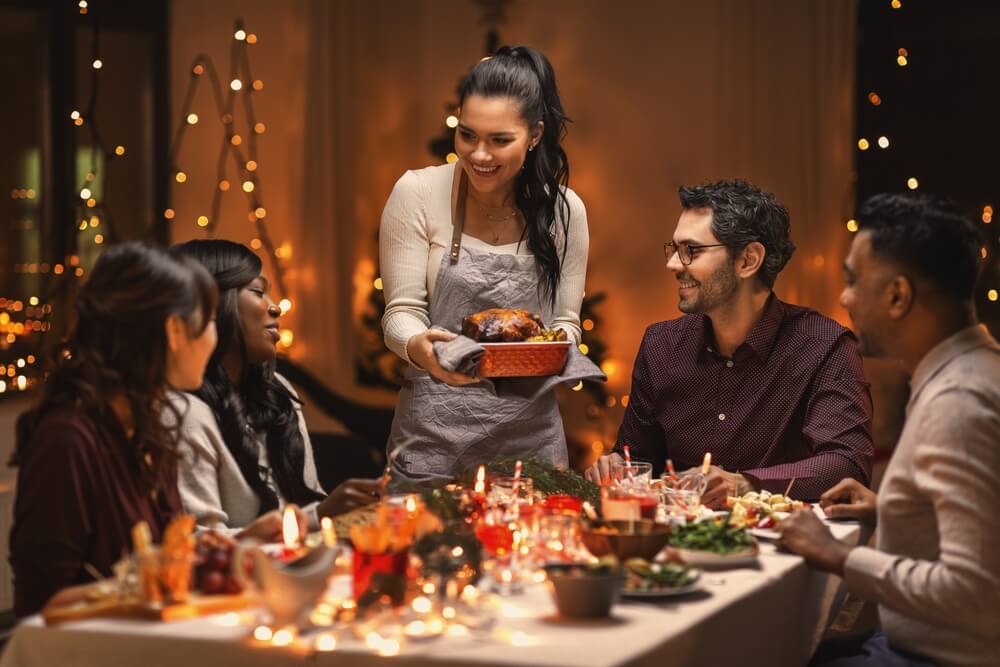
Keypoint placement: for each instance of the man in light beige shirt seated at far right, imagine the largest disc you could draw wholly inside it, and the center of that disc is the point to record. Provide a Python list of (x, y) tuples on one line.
[(935, 573)]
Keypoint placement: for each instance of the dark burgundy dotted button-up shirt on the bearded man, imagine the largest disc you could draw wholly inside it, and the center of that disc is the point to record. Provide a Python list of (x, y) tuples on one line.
[(791, 403)]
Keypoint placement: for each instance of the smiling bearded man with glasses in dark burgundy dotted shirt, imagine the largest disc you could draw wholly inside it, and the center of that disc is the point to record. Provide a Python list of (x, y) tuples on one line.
[(776, 392)]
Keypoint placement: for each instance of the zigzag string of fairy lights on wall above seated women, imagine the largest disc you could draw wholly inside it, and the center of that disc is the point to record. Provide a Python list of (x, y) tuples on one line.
[(236, 148)]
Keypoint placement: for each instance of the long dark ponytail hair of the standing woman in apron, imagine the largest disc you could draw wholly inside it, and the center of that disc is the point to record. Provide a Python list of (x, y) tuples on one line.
[(526, 75)]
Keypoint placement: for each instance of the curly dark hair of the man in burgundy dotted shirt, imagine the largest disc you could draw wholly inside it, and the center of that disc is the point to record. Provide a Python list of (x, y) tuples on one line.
[(741, 214)]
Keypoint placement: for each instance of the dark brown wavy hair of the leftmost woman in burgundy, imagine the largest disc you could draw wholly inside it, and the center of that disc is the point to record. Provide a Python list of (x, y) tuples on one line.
[(119, 347)]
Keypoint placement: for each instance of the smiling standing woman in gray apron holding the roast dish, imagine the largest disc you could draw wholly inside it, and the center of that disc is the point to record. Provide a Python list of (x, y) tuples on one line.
[(498, 228)]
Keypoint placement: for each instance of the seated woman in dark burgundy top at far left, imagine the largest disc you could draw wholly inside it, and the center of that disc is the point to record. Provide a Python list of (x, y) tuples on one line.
[(94, 454)]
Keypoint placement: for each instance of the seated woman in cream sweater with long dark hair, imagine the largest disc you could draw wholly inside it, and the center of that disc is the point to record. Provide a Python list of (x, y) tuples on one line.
[(247, 450)]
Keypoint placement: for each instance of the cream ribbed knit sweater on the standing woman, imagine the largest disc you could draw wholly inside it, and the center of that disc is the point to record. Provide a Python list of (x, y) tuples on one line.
[(415, 232)]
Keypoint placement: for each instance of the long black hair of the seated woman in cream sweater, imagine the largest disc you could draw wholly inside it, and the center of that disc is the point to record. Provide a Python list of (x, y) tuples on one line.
[(258, 398)]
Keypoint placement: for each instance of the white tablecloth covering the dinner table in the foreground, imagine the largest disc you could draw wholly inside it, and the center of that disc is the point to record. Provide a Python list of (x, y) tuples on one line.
[(772, 615)]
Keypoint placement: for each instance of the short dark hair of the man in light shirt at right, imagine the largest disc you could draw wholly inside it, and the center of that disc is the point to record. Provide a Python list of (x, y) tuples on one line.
[(928, 236)]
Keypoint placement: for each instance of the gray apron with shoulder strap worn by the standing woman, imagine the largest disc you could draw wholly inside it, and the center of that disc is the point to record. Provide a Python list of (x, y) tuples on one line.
[(443, 430)]
